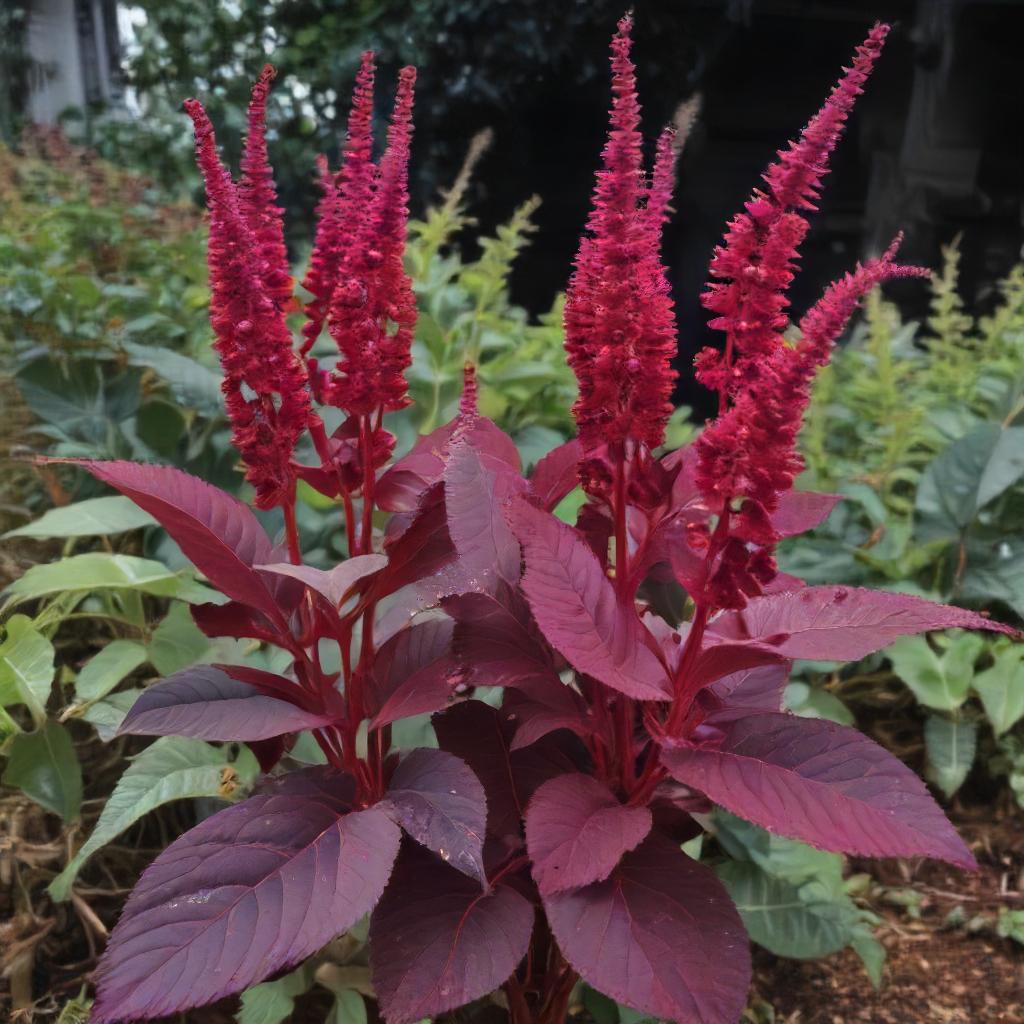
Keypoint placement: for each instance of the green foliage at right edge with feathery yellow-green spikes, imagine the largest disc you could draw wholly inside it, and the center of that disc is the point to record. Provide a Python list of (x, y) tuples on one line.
[(922, 431)]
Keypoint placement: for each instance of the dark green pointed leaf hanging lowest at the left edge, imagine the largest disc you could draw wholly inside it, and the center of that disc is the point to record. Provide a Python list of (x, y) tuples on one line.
[(44, 765)]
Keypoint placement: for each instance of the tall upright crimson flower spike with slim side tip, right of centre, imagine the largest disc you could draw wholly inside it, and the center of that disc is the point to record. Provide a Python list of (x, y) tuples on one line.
[(620, 326)]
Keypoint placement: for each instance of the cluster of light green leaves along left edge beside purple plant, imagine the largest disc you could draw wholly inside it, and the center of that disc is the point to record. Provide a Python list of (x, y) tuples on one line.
[(55, 700)]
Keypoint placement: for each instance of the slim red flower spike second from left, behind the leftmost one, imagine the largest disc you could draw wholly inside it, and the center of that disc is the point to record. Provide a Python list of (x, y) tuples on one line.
[(259, 198)]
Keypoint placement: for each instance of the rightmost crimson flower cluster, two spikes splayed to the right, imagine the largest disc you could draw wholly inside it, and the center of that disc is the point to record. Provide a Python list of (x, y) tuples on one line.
[(748, 457)]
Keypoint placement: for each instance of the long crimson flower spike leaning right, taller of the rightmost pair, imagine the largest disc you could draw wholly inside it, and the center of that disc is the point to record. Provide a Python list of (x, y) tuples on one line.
[(755, 266)]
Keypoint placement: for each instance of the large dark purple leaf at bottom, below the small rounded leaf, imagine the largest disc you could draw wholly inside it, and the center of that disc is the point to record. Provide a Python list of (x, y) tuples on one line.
[(661, 935)]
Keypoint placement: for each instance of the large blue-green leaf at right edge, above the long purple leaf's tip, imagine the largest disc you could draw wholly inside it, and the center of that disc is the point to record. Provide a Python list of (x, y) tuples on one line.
[(969, 475)]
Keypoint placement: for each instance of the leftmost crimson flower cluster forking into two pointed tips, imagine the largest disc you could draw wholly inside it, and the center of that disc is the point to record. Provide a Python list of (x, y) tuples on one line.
[(265, 382)]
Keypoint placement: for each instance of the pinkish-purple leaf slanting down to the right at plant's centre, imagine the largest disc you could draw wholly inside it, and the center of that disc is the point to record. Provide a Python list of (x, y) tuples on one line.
[(577, 610)]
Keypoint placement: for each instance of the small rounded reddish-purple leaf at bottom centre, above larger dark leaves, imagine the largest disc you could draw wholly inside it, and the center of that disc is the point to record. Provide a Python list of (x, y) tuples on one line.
[(577, 832)]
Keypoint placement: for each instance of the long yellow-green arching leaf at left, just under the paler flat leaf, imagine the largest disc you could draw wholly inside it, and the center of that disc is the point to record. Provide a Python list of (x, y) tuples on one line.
[(100, 571)]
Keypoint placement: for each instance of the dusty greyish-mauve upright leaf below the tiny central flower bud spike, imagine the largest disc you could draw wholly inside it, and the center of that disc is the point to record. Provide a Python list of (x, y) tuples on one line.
[(475, 495)]
